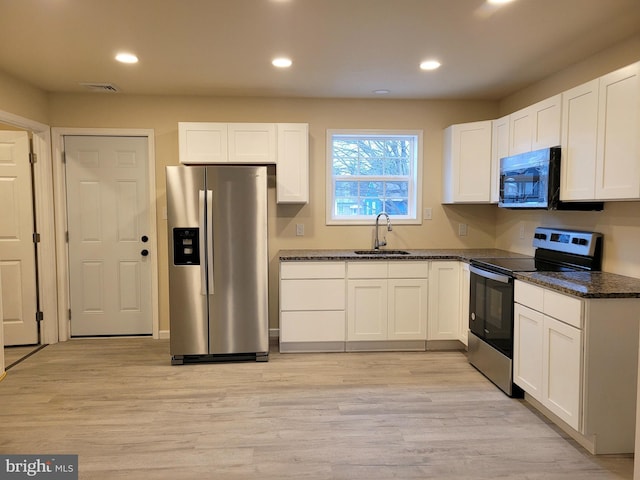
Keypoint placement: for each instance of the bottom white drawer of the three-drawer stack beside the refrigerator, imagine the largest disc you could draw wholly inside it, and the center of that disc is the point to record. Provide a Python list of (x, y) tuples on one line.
[(312, 326)]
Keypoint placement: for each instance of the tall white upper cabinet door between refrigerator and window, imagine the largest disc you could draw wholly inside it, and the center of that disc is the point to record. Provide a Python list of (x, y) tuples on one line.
[(292, 170)]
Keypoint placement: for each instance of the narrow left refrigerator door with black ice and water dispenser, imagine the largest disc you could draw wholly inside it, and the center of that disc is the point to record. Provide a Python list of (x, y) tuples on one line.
[(188, 305)]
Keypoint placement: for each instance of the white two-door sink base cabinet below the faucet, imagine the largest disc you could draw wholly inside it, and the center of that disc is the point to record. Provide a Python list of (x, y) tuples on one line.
[(387, 303)]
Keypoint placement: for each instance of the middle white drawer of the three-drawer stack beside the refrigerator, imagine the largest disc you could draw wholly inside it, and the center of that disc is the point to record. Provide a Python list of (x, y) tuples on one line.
[(321, 294)]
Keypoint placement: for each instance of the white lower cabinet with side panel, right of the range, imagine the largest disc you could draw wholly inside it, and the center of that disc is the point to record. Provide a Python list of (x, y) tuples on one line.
[(577, 360)]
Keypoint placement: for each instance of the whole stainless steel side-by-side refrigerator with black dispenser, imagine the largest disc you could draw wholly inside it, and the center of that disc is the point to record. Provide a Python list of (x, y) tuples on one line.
[(218, 263)]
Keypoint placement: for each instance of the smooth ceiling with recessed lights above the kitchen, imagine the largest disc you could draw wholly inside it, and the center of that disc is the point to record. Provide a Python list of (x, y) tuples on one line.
[(340, 48)]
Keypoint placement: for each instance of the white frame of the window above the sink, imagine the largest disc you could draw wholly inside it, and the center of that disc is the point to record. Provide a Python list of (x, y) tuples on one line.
[(413, 217)]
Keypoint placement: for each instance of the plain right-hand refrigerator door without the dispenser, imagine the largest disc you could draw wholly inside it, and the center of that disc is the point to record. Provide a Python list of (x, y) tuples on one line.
[(238, 297)]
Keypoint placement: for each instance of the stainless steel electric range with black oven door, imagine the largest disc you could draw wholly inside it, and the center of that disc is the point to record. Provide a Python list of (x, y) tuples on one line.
[(491, 296)]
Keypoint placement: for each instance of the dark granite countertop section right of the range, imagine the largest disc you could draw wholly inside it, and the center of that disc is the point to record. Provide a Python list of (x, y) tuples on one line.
[(585, 284)]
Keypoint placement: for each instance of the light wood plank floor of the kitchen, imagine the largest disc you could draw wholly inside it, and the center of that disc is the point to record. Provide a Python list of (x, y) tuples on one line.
[(128, 413)]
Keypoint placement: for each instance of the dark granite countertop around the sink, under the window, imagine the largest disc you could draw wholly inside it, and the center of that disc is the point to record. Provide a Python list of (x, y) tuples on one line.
[(429, 254)]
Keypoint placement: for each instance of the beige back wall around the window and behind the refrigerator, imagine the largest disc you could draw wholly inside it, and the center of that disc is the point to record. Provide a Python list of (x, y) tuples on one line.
[(163, 114)]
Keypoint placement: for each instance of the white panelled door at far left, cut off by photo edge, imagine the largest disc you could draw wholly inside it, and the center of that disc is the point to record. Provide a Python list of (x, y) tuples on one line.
[(17, 253)]
